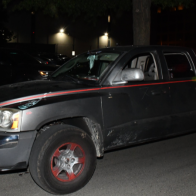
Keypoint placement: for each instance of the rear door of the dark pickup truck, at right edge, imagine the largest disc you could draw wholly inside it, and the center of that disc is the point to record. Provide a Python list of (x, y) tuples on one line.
[(183, 90)]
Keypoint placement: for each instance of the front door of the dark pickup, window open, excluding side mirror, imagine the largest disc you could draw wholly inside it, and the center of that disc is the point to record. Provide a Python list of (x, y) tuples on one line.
[(137, 111)]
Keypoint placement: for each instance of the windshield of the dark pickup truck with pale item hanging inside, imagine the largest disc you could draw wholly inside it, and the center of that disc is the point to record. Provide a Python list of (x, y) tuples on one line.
[(88, 66)]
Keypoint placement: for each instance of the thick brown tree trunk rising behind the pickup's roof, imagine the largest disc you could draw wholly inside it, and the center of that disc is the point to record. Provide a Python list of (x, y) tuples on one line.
[(141, 22)]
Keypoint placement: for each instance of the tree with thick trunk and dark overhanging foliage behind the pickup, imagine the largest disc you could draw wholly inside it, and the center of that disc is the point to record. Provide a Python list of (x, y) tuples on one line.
[(93, 9)]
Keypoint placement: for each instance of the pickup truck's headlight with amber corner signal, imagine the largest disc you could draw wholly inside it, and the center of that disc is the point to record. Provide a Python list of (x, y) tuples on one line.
[(10, 119)]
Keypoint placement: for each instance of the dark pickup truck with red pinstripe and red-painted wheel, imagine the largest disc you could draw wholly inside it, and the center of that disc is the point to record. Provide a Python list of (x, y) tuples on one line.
[(98, 101)]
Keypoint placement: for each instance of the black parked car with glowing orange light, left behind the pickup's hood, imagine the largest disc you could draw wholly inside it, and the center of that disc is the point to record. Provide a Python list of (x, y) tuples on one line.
[(17, 66)]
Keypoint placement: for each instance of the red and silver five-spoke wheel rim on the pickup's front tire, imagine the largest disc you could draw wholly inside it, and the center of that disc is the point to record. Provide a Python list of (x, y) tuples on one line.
[(68, 162)]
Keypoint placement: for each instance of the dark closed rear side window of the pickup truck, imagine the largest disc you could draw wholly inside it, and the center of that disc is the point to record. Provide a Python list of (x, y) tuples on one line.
[(178, 65)]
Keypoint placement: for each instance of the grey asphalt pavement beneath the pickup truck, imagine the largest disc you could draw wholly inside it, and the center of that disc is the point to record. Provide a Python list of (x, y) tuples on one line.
[(164, 168)]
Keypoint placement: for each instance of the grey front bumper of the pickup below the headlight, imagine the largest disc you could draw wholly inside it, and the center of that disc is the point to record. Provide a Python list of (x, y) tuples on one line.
[(15, 150)]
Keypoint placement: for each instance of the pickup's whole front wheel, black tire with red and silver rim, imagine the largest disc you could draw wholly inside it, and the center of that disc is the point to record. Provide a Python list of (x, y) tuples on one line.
[(66, 148)]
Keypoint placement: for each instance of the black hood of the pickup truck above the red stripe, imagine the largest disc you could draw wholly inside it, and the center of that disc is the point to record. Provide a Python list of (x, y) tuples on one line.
[(39, 89)]
